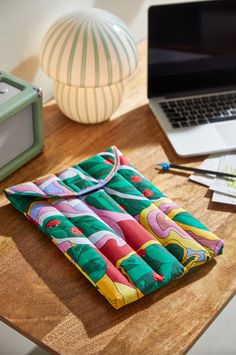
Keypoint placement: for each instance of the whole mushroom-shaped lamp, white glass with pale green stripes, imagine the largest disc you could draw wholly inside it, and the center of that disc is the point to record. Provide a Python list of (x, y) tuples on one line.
[(89, 54)]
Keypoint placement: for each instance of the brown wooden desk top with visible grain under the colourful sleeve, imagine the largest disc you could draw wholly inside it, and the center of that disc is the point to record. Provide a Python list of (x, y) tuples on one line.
[(44, 297)]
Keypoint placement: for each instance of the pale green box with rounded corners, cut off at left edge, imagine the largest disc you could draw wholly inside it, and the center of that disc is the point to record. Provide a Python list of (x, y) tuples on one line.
[(21, 123)]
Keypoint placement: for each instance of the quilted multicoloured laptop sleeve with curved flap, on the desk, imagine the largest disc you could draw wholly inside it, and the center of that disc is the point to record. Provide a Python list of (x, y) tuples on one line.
[(118, 229)]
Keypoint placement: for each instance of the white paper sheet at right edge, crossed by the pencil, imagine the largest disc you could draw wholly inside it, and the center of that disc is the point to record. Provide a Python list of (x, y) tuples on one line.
[(227, 164)]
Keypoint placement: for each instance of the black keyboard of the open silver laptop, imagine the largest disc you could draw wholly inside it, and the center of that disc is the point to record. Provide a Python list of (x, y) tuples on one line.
[(200, 110)]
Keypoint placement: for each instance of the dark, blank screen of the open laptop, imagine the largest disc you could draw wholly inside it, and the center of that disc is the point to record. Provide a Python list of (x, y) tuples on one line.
[(191, 47)]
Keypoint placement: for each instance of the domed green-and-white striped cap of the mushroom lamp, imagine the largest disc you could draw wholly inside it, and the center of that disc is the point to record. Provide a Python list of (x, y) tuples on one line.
[(89, 48)]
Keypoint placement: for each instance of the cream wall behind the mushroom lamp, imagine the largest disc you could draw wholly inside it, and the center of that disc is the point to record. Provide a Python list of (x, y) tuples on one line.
[(24, 23)]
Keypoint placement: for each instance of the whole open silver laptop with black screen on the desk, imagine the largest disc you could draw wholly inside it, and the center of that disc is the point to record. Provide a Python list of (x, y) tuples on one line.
[(192, 74)]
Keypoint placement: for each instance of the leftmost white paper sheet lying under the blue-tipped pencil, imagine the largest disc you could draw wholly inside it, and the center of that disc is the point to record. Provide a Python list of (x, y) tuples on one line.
[(211, 163)]
